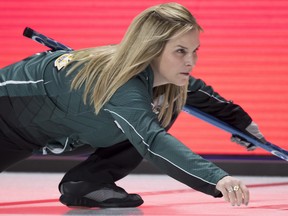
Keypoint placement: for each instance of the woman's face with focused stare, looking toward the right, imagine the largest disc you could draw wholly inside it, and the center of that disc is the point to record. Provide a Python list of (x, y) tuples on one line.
[(177, 60)]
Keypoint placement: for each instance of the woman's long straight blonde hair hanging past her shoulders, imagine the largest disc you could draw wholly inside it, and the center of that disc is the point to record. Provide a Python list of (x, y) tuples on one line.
[(107, 68)]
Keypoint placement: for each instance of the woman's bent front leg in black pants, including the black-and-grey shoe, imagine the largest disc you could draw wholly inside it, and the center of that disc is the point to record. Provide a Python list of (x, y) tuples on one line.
[(91, 183)]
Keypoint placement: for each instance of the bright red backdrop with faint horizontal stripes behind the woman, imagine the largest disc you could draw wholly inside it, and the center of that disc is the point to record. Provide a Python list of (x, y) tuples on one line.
[(243, 55)]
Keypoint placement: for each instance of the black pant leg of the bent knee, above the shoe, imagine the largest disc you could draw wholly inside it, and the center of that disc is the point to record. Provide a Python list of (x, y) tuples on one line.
[(106, 165)]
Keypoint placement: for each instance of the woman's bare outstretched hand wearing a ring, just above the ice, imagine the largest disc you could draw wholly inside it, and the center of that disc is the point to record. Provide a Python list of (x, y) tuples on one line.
[(233, 190)]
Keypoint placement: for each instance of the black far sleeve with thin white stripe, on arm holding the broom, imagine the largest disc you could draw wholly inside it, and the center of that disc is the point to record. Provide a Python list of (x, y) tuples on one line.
[(207, 100)]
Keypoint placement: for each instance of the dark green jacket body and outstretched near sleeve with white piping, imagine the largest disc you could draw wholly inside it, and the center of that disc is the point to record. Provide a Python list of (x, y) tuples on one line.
[(54, 118)]
